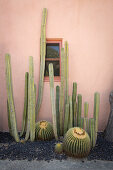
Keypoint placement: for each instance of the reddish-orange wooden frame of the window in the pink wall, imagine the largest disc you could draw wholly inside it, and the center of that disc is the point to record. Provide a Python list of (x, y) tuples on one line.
[(54, 40)]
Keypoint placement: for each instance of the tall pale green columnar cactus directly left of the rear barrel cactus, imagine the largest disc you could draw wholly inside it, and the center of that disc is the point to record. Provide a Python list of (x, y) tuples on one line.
[(31, 103)]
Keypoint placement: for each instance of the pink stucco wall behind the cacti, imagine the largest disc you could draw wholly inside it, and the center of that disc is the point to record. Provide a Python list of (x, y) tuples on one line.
[(87, 25)]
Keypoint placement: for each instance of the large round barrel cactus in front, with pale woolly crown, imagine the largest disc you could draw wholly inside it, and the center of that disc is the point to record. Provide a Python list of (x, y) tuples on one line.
[(77, 142)]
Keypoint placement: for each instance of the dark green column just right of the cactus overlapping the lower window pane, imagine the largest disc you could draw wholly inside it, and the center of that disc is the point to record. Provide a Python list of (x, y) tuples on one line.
[(57, 109)]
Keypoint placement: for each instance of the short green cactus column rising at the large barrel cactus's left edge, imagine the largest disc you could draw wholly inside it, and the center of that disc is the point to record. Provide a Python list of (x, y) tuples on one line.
[(66, 118)]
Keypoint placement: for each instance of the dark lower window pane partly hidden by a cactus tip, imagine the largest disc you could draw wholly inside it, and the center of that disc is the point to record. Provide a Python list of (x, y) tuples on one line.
[(56, 67)]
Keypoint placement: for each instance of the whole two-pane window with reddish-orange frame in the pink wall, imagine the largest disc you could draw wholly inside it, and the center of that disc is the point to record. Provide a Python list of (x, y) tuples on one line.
[(53, 55)]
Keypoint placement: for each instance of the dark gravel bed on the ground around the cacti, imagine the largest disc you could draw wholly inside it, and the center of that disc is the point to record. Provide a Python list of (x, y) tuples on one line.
[(44, 150)]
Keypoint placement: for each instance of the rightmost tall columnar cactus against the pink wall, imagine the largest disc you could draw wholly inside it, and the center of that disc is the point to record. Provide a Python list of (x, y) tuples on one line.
[(96, 111)]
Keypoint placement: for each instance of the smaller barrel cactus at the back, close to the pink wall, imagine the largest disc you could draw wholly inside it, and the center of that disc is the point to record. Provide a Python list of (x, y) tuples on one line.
[(44, 130)]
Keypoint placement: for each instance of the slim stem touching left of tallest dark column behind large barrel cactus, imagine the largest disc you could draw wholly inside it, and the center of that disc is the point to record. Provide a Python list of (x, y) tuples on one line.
[(71, 113)]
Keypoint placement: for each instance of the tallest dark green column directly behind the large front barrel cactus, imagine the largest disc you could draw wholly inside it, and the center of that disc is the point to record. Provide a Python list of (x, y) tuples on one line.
[(74, 94)]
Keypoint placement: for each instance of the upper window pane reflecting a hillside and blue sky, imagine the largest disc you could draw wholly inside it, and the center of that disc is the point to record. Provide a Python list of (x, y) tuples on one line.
[(52, 50)]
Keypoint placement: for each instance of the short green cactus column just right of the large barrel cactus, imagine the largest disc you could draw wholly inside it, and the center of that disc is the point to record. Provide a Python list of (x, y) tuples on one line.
[(92, 131)]
